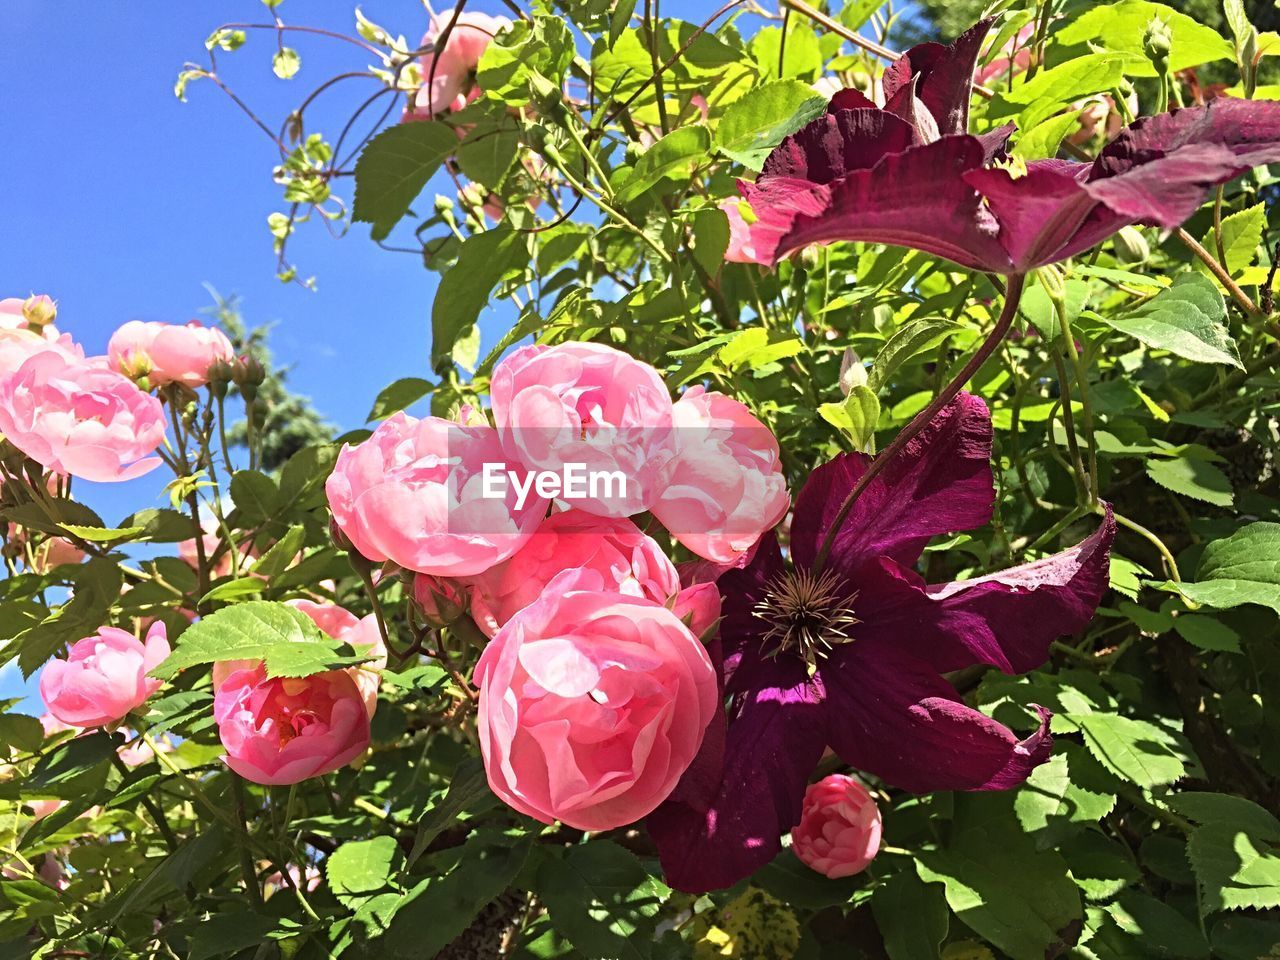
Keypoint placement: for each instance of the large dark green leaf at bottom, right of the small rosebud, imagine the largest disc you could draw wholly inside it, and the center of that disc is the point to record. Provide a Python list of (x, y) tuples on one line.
[(1027, 913)]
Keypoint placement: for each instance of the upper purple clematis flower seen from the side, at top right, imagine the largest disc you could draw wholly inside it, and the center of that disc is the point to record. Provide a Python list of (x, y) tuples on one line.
[(911, 175)]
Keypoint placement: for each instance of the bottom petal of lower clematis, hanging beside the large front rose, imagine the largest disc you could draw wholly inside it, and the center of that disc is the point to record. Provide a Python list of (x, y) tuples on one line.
[(775, 739)]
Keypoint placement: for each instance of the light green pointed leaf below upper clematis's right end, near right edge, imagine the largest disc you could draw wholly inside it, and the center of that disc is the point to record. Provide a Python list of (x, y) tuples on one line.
[(1187, 318)]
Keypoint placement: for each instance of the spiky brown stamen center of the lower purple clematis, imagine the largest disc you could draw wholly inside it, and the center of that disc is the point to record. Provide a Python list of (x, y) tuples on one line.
[(807, 615)]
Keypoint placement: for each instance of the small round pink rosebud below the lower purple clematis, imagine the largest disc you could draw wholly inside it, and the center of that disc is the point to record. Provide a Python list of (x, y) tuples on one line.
[(840, 828)]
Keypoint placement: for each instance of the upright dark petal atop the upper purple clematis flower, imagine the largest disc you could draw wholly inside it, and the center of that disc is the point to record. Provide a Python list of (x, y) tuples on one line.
[(943, 75)]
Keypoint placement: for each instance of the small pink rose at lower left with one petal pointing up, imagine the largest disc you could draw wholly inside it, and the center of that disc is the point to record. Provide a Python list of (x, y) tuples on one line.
[(104, 678)]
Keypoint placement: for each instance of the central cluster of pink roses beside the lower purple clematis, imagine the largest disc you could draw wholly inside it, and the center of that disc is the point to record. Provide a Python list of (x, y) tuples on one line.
[(596, 689)]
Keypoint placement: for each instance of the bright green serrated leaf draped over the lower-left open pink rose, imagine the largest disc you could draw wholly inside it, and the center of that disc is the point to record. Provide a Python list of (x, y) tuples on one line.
[(286, 639)]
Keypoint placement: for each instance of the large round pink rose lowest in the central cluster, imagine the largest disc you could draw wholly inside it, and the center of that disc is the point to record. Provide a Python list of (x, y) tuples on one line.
[(592, 707)]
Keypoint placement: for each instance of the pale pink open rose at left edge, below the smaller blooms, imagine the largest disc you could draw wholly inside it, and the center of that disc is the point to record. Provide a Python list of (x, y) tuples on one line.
[(81, 419)]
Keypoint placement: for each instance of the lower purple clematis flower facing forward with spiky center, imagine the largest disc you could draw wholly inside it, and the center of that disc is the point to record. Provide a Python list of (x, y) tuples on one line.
[(852, 656)]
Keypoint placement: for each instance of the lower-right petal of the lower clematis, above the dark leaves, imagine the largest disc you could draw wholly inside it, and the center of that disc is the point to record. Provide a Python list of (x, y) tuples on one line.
[(902, 723)]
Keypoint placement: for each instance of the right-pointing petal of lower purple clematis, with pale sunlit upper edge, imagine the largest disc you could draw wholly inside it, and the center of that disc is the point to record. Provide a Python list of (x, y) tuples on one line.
[(1005, 620)]
